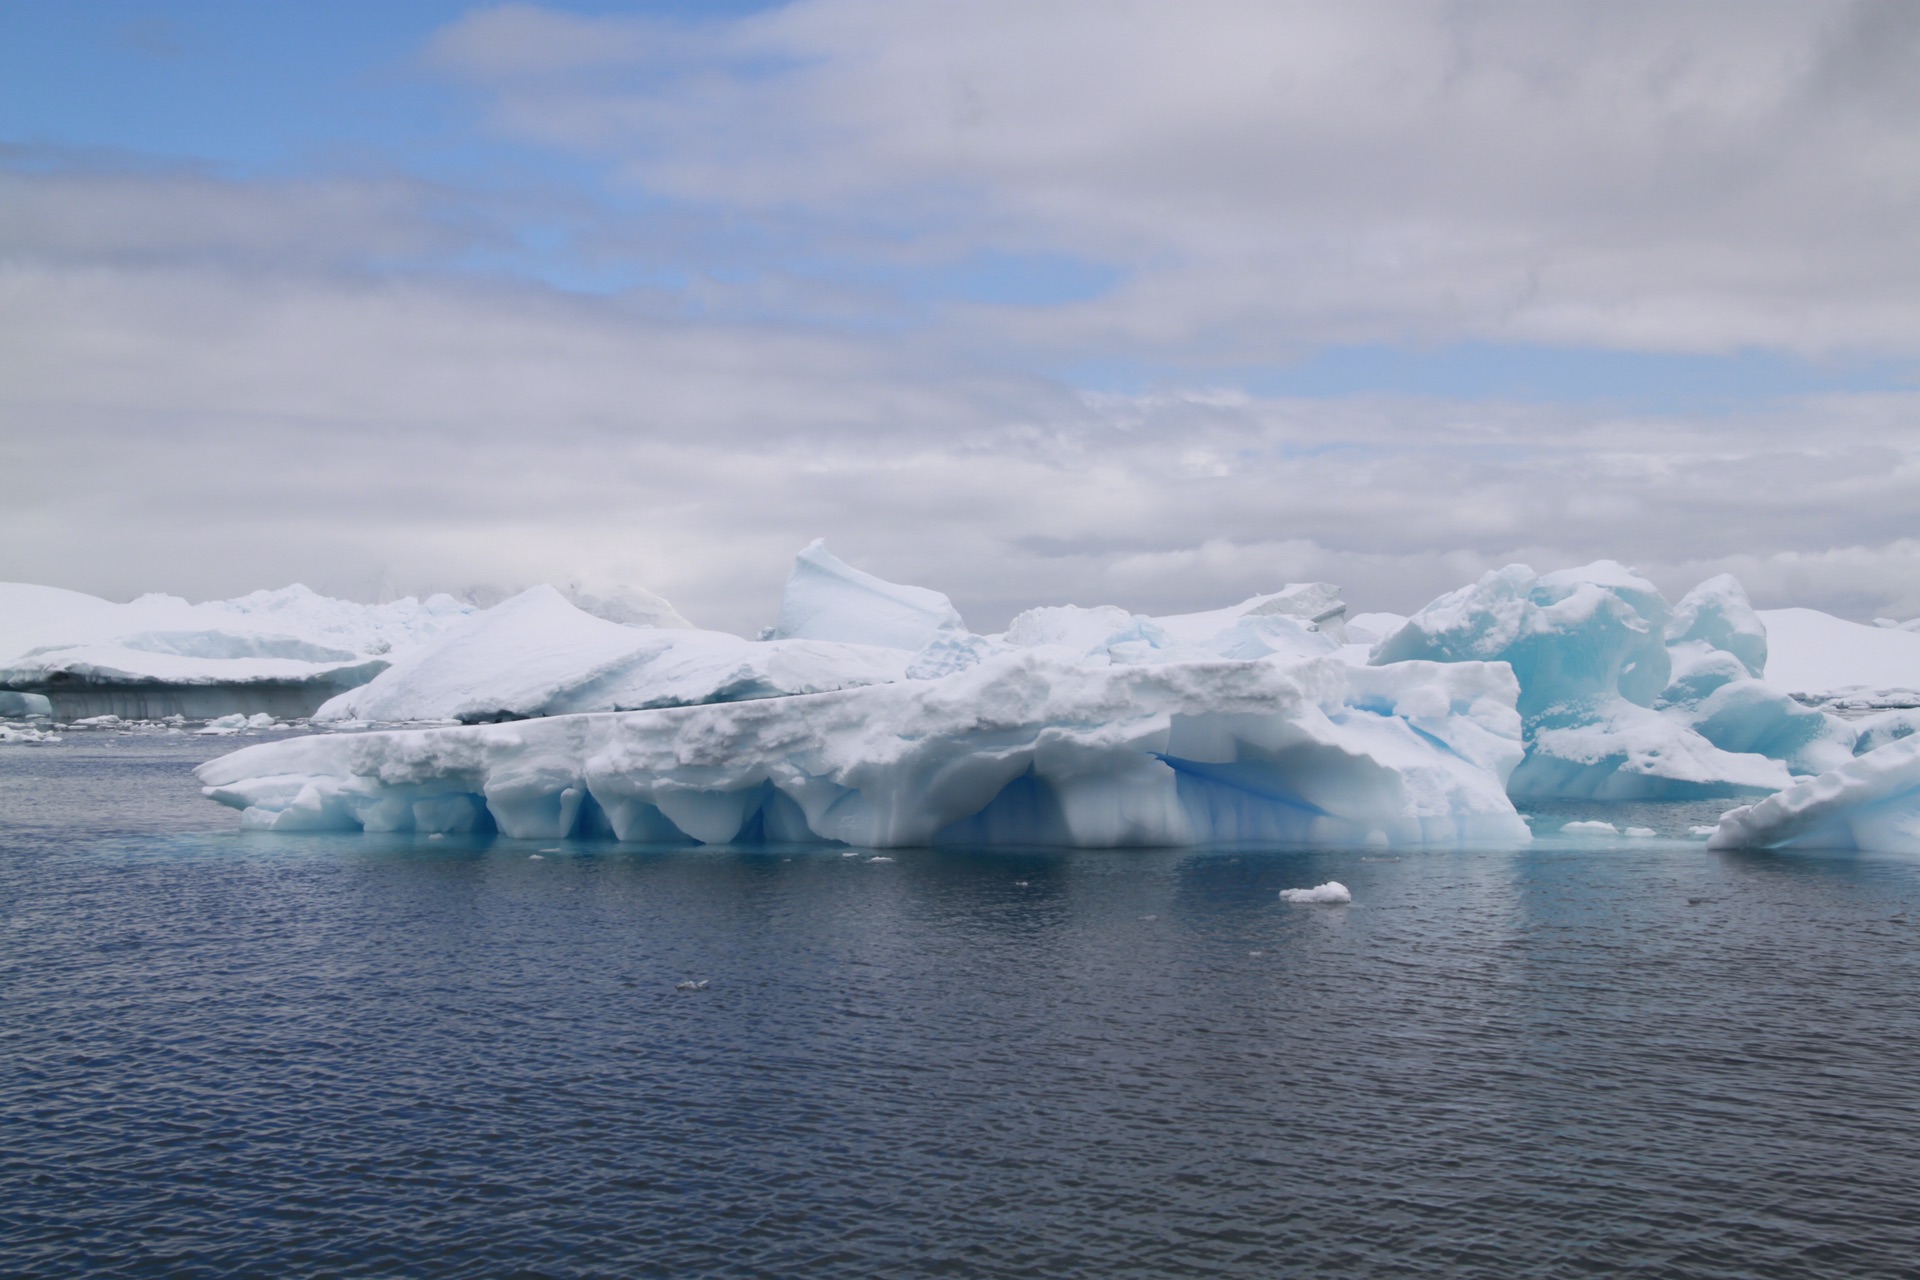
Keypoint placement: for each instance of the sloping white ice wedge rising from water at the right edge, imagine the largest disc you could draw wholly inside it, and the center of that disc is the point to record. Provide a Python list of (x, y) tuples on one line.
[(1871, 803)]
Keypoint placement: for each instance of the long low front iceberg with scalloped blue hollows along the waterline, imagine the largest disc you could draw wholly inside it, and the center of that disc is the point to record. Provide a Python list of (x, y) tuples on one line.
[(1022, 749)]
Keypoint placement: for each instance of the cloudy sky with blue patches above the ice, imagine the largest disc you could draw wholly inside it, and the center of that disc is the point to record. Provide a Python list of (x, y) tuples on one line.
[(1030, 302)]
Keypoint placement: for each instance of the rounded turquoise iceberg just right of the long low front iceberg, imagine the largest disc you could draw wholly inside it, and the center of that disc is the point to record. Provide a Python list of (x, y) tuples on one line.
[(1623, 698)]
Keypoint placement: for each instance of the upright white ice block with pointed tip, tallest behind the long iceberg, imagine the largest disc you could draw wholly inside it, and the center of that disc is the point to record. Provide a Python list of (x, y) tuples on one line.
[(828, 600)]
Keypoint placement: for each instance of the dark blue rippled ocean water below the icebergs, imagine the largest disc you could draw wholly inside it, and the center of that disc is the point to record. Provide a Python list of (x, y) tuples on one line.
[(233, 1055)]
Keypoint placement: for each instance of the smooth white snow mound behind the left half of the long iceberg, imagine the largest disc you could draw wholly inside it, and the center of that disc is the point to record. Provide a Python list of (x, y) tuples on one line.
[(539, 655)]
